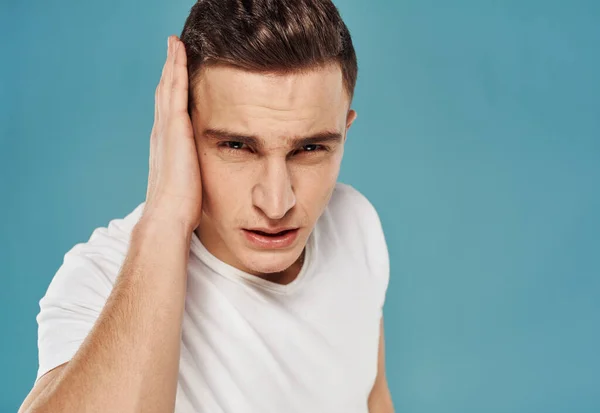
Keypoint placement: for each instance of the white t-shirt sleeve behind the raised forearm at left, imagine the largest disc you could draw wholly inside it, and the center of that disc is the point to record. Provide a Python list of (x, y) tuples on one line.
[(76, 295)]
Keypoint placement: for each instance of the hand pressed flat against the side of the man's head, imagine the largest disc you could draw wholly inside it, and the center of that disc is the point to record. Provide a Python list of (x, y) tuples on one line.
[(174, 186)]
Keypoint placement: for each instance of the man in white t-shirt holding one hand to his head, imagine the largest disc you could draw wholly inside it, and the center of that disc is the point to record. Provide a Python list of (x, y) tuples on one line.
[(248, 280)]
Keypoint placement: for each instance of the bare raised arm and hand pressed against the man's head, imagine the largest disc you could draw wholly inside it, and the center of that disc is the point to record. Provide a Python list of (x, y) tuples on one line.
[(129, 361)]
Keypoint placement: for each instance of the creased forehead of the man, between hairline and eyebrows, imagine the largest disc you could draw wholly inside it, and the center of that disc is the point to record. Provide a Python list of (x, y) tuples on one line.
[(227, 97)]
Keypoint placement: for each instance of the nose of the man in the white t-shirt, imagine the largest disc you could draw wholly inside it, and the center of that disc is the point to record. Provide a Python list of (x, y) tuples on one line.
[(273, 194)]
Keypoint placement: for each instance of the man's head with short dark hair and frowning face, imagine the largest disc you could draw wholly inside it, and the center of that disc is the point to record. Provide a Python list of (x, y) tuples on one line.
[(271, 82)]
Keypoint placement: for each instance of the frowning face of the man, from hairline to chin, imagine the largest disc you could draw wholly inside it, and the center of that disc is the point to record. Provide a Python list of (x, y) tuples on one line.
[(270, 148)]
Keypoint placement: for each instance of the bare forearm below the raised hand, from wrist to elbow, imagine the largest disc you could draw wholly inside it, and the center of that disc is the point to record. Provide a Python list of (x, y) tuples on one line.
[(129, 361)]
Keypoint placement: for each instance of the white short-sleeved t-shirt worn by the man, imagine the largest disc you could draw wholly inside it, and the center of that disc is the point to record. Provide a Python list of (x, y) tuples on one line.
[(248, 344)]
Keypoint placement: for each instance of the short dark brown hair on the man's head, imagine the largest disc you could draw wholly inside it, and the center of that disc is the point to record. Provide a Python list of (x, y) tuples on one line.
[(268, 36)]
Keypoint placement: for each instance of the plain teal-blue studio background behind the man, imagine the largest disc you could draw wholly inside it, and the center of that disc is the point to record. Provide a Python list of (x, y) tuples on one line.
[(478, 140)]
